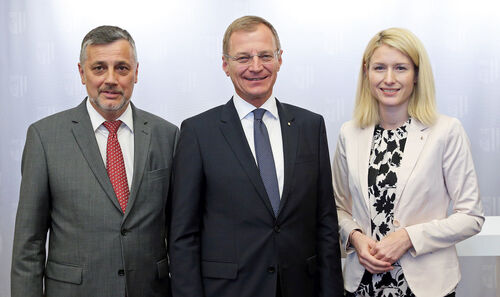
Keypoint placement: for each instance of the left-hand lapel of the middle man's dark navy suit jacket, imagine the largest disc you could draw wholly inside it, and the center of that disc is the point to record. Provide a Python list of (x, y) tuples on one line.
[(232, 130)]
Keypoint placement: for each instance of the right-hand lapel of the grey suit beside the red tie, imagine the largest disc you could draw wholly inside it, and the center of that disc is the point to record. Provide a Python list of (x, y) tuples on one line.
[(142, 139)]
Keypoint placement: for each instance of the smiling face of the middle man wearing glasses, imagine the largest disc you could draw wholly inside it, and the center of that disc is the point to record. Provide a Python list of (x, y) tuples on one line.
[(253, 82)]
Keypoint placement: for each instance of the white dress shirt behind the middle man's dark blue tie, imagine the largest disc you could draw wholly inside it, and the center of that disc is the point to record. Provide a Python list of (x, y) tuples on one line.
[(272, 122)]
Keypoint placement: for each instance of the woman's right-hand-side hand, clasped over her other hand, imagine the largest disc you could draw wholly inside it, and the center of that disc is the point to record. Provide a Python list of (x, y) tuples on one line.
[(392, 247)]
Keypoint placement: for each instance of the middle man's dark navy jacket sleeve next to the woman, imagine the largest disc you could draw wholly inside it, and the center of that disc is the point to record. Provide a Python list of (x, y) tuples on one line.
[(330, 270)]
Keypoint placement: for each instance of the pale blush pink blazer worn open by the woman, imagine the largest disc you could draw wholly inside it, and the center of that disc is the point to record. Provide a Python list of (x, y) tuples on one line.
[(436, 171)]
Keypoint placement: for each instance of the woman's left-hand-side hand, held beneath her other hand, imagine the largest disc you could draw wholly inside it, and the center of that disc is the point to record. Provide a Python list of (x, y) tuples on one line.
[(363, 245)]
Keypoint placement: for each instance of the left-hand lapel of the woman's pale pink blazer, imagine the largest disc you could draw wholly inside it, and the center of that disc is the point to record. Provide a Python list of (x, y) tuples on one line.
[(364, 147)]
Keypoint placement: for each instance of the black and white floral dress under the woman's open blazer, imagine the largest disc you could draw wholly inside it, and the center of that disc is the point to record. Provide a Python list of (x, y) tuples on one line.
[(386, 154)]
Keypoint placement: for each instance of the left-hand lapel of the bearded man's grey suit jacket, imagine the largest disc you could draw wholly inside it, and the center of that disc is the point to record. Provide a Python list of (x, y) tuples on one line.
[(85, 138)]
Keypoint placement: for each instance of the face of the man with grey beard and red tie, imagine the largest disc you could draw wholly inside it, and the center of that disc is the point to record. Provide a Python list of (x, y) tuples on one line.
[(109, 73)]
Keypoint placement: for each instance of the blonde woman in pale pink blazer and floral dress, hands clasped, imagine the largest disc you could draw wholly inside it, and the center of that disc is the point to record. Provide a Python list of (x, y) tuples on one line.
[(397, 168)]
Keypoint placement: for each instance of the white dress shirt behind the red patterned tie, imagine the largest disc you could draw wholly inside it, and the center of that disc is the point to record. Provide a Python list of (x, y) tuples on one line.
[(125, 137)]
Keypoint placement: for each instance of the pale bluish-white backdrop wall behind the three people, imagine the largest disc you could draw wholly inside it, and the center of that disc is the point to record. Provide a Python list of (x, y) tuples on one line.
[(179, 49)]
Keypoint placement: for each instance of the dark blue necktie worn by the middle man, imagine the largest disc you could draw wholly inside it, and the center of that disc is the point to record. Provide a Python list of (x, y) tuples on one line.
[(265, 159)]
